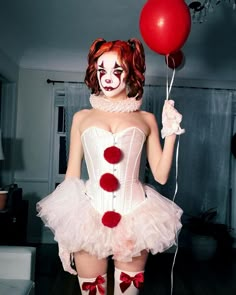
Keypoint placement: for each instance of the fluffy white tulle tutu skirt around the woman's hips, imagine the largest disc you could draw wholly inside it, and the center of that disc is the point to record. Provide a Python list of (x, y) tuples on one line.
[(153, 225)]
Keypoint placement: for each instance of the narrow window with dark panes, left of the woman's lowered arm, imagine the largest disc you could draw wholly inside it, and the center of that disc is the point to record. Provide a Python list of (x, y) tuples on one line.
[(59, 144)]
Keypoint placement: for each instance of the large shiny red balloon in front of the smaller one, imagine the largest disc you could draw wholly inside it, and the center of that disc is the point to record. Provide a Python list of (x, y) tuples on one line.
[(165, 25)]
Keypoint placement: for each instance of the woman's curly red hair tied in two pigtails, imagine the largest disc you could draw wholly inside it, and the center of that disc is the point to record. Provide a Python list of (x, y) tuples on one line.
[(132, 58)]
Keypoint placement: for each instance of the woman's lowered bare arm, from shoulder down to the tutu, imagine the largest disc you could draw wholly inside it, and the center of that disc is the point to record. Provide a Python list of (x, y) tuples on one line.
[(76, 149)]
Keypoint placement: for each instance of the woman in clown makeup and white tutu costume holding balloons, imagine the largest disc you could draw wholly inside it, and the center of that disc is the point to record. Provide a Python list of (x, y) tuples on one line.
[(113, 213)]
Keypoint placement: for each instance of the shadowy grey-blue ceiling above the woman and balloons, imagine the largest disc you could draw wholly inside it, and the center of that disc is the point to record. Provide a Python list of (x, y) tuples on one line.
[(56, 34)]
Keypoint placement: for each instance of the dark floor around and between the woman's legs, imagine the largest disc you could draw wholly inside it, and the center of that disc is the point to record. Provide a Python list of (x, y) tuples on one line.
[(191, 276)]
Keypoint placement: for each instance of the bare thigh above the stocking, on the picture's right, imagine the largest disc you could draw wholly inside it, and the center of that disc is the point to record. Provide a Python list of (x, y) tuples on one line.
[(137, 264)]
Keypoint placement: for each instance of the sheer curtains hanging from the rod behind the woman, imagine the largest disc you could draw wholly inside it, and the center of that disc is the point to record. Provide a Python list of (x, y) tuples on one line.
[(204, 150)]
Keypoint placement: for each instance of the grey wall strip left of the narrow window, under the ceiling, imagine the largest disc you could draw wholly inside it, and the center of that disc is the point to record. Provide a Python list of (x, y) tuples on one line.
[(33, 140)]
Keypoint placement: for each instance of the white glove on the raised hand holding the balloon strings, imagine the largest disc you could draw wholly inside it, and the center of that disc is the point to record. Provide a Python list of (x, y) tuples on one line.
[(171, 120)]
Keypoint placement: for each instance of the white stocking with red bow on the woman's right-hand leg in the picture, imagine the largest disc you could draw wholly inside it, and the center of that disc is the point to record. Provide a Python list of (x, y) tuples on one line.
[(128, 283)]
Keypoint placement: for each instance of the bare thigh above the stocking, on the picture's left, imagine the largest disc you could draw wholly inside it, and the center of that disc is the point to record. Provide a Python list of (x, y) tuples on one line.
[(89, 266)]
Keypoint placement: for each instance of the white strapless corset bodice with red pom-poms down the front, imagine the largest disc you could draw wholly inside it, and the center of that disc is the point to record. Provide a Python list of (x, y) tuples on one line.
[(130, 192)]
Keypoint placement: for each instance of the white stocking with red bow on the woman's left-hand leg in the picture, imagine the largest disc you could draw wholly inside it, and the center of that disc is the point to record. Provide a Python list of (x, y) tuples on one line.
[(90, 286)]
